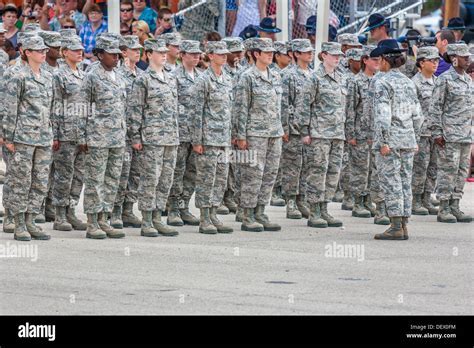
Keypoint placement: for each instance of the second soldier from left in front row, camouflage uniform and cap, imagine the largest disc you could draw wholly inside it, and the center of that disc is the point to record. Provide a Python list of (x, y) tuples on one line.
[(102, 136)]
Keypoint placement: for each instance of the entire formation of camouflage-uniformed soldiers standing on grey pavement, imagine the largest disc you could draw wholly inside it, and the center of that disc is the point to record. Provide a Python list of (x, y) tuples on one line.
[(258, 118)]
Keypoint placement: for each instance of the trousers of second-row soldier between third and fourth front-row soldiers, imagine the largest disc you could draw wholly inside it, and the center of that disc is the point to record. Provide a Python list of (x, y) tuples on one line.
[(184, 179)]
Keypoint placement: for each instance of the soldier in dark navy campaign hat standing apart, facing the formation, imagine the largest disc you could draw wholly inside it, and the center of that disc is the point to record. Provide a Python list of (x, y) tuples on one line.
[(397, 126)]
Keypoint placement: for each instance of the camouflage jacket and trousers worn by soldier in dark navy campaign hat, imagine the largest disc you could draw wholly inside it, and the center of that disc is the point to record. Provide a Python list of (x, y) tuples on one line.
[(397, 123)]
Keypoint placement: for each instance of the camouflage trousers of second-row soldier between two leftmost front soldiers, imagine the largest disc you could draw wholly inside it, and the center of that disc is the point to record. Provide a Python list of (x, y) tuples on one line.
[(68, 180)]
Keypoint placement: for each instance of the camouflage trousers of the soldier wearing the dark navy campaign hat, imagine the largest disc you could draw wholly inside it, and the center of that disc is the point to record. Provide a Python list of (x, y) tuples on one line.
[(395, 174)]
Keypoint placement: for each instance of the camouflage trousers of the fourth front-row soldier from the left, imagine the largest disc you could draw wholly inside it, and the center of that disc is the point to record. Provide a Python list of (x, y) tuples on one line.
[(212, 169)]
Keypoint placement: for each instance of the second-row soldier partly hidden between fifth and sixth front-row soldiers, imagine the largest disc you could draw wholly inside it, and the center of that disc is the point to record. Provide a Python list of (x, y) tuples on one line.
[(298, 95)]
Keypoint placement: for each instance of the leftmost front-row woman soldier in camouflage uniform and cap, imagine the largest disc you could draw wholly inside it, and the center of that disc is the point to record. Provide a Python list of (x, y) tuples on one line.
[(29, 137)]
